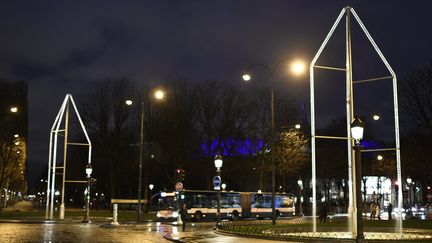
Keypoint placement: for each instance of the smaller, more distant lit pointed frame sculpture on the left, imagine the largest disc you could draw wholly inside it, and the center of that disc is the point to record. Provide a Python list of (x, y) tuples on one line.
[(52, 156)]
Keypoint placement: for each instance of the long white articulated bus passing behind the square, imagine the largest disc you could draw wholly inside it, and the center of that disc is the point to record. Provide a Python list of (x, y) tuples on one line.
[(202, 205)]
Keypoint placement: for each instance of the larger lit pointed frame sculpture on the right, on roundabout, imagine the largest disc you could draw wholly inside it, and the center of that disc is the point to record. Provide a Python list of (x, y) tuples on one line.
[(347, 11)]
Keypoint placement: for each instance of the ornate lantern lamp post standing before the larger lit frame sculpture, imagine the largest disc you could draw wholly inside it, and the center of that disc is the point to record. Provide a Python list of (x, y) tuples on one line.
[(357, 128)]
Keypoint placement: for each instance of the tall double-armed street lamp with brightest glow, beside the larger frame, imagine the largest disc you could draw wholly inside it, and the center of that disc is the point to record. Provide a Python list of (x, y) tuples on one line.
[(297, 67)]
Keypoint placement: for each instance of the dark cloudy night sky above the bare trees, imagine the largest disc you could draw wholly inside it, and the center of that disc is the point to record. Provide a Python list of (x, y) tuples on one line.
[(63, 47)]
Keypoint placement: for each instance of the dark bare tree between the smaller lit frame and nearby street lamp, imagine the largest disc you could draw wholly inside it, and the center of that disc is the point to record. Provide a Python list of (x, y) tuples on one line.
[(109, 122)]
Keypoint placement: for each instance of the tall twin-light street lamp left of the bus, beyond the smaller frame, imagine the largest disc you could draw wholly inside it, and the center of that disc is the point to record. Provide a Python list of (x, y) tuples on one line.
[(159, 95)]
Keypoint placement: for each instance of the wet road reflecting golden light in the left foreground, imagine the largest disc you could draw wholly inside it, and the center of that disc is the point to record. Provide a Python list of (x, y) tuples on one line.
[(77, 232)]
